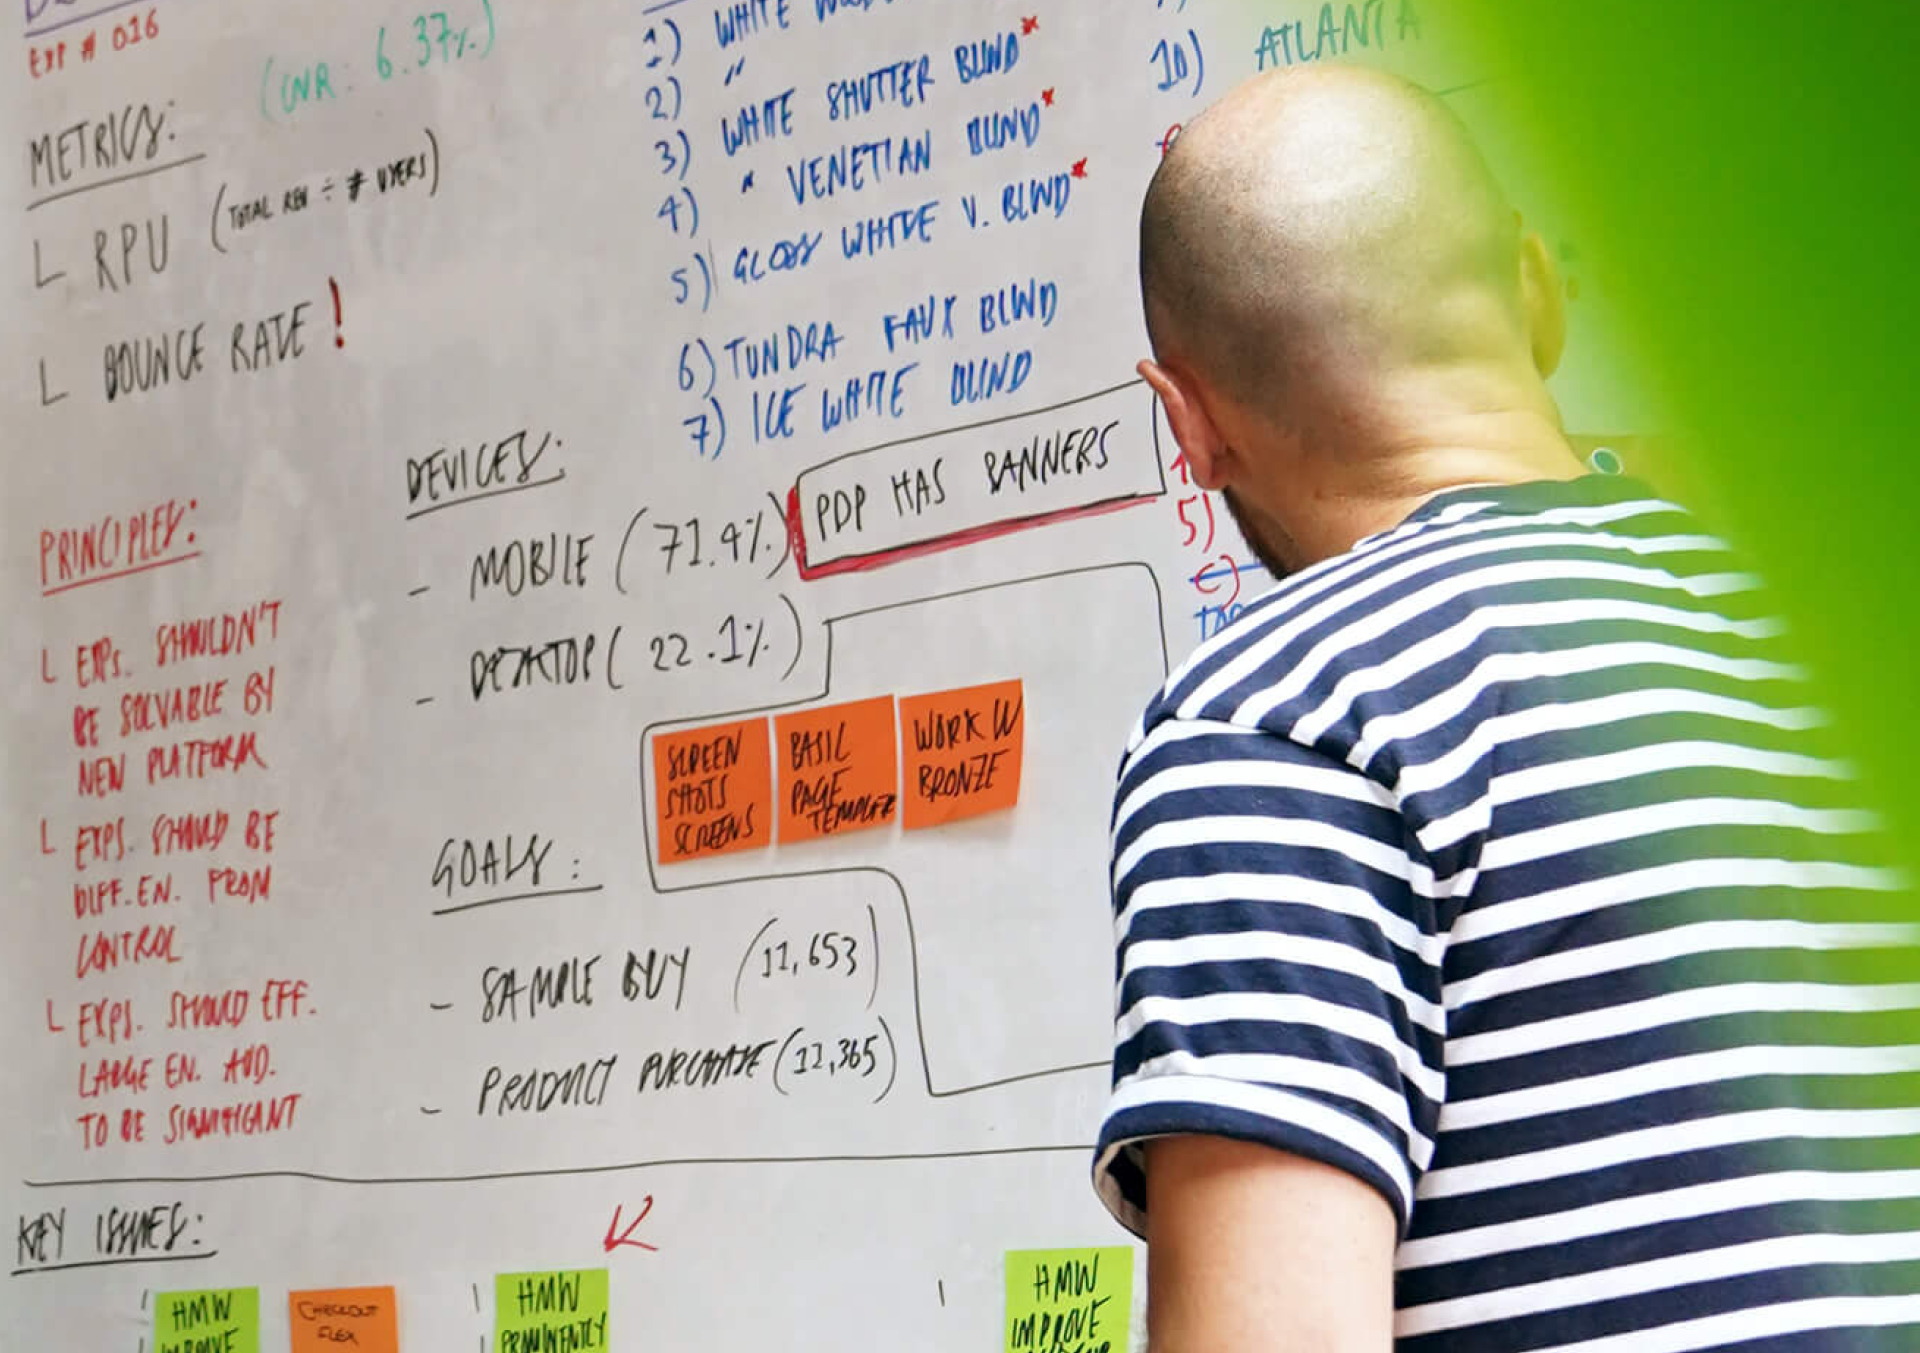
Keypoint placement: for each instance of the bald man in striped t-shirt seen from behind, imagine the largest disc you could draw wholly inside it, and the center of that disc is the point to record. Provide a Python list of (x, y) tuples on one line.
[(1504, 962)]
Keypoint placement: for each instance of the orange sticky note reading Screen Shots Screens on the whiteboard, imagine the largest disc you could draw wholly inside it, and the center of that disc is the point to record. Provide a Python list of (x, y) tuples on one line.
[(713, 790)]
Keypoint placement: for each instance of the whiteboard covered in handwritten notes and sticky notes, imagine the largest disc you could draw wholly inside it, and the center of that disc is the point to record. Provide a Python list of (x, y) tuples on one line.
[(577, 577)]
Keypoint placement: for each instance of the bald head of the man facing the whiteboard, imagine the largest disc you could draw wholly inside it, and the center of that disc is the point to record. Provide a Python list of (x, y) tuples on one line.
[(1320, 231)]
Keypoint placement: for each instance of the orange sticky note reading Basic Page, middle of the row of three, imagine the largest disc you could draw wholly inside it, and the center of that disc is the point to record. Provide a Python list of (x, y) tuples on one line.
[(840, 769)]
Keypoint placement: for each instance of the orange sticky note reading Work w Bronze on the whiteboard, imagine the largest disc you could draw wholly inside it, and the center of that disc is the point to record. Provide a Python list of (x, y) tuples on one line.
[(963, 751)]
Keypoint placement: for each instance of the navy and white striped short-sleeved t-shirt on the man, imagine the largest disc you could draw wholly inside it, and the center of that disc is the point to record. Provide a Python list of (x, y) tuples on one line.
[(1506, 865)]
